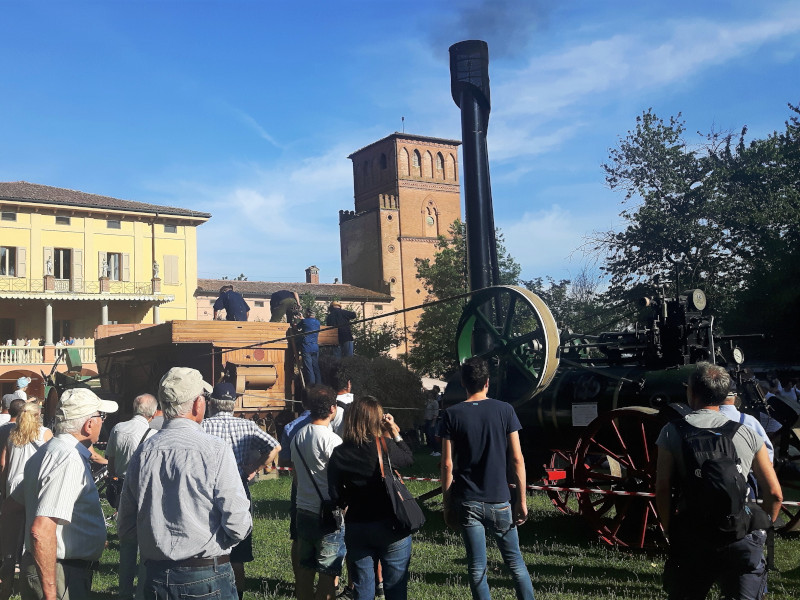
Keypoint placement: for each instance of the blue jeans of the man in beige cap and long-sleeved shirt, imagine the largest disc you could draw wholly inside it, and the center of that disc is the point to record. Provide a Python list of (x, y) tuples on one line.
[(182, 583)]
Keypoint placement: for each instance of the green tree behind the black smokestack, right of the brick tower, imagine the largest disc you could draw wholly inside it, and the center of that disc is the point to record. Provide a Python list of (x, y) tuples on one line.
[(445, 276)]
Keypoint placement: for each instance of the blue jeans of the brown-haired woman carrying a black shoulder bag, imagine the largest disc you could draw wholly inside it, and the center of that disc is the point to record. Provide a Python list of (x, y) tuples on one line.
[(368, 543)]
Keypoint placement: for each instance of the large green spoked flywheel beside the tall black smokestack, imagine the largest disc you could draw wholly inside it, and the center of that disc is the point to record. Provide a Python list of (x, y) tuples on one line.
[(523, 340)]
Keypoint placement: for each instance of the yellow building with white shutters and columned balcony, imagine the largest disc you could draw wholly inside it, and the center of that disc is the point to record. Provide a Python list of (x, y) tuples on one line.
[(70, 261)]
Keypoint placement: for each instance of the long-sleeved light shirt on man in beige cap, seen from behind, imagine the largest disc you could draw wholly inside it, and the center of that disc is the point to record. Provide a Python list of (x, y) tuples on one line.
[(183, 497)]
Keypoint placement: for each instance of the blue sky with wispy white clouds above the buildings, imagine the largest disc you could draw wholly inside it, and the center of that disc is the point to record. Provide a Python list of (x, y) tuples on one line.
[(248, 110)]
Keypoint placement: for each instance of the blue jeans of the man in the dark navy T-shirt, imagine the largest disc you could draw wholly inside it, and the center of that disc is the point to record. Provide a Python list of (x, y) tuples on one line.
[(479, 518)]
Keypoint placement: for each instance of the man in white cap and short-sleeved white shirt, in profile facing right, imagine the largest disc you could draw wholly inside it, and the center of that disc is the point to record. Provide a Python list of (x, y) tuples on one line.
[(65, 530)]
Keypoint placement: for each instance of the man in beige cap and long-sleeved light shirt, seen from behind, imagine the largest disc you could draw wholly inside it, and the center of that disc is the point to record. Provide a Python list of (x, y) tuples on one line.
[(183, 499)]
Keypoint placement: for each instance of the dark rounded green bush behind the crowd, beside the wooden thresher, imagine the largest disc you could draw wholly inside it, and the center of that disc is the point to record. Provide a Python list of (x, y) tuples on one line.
[(396, 388)]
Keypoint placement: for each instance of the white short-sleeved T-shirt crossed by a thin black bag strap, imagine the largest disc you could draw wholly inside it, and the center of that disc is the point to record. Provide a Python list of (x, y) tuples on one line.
[(316, 444)]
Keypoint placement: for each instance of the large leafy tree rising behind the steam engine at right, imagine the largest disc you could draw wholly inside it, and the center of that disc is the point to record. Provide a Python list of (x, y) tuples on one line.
[(721, 214)]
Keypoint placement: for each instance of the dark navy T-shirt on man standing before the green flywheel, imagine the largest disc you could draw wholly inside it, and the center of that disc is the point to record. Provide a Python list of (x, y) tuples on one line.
[(478, 432)]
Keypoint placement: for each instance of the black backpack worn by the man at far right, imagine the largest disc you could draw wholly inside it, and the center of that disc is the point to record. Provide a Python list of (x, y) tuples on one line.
[(713, 496)]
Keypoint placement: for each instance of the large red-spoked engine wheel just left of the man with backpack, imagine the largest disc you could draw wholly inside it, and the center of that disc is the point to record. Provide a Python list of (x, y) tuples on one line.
[(617, 453)]
